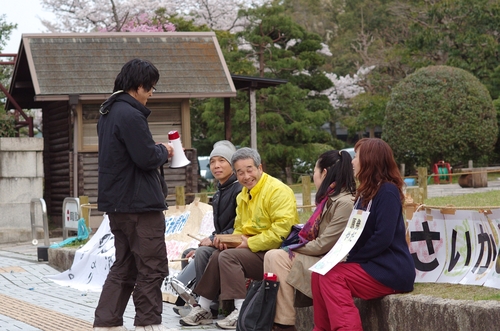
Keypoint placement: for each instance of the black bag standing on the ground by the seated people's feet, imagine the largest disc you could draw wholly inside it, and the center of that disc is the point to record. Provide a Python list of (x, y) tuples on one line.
[(259, 307)]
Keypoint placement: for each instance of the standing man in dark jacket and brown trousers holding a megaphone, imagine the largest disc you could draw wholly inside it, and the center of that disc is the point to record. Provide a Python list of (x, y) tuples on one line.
[(130, 192)]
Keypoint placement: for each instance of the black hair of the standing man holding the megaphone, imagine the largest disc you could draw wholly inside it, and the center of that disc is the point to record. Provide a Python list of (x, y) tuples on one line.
[(136, 73)]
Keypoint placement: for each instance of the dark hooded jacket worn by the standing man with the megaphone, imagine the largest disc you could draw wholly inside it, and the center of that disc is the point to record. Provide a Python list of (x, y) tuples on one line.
[(129, 180)]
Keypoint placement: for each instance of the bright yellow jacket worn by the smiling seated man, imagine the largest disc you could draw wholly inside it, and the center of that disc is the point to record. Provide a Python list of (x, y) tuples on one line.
[(268, 215)]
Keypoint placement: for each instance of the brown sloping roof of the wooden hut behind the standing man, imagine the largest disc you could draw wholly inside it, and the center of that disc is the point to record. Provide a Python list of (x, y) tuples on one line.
[(55, 65)]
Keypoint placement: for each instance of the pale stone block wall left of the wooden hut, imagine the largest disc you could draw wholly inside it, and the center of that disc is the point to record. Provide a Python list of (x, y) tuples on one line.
[(21, 179)]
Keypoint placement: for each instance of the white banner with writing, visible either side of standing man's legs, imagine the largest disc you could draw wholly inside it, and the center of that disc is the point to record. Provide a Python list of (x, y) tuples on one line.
[(93, 261)]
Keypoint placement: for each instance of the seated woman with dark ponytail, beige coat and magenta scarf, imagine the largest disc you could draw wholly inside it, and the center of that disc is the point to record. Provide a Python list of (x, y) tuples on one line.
[(335, 189)]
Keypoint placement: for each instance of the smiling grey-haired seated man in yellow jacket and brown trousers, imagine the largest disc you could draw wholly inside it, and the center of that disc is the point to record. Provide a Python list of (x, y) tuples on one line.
[(266, 210)]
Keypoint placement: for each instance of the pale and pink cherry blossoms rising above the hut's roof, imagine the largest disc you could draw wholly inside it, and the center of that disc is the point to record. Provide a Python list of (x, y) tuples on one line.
[(113, 15)]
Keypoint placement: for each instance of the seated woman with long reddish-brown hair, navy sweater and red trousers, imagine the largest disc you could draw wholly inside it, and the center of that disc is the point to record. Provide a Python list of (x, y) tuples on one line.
[(379, 263)]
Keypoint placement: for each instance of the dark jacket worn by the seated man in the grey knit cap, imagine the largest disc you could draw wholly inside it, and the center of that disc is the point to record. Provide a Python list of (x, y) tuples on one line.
[(224, 206)]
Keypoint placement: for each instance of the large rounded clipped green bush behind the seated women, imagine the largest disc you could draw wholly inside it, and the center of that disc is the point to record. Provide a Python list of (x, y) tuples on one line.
[(440, 113)]
